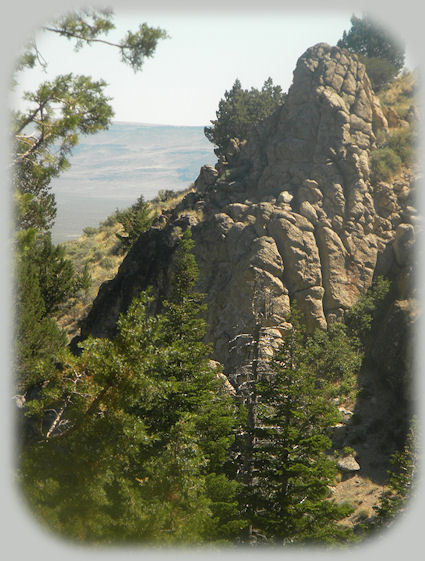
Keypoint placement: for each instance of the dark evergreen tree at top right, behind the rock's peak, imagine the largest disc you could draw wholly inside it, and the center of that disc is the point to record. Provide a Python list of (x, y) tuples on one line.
[(382, 55)]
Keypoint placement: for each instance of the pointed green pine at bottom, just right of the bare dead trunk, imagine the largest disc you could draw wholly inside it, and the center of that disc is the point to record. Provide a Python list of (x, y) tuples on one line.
[(289, 498)]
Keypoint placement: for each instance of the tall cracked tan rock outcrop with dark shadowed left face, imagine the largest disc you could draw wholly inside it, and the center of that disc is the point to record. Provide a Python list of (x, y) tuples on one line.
[(290, 213)]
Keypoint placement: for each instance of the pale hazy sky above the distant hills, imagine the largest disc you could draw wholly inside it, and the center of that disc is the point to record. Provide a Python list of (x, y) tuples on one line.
[(184, 81)]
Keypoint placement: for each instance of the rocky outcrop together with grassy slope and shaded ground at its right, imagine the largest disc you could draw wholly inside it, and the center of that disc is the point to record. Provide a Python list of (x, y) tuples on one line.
[(315, 205)]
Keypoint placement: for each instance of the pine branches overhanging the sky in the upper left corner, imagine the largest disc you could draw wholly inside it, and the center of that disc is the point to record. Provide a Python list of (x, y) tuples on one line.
[(58, 111)]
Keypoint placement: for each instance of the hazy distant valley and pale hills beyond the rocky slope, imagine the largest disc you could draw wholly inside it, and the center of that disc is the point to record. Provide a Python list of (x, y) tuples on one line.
[(112, 168)]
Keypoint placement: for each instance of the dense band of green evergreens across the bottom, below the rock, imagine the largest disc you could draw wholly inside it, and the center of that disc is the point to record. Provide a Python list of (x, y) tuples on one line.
[(132, 437)]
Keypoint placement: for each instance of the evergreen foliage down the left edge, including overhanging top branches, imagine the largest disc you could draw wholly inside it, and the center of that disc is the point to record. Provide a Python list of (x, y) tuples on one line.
[(44, 134)]
